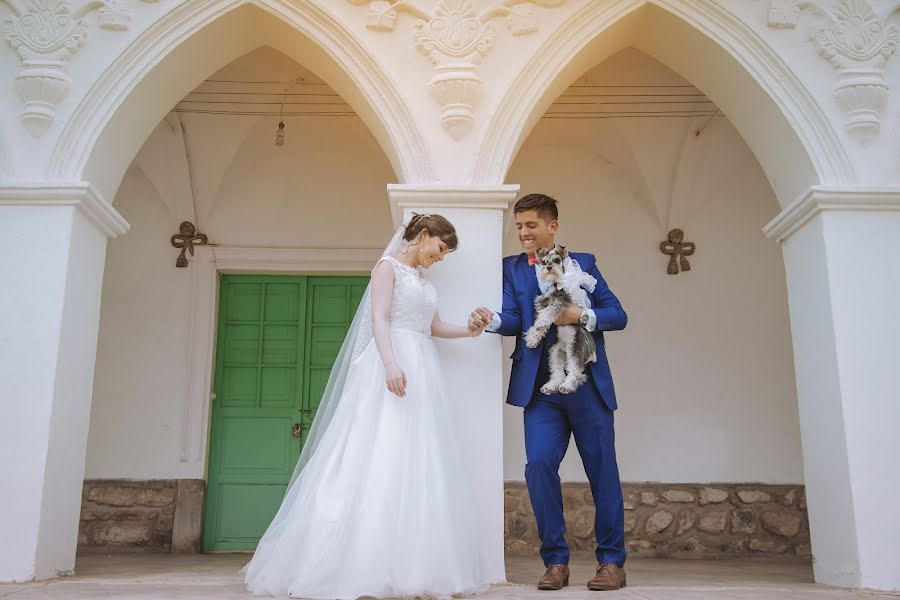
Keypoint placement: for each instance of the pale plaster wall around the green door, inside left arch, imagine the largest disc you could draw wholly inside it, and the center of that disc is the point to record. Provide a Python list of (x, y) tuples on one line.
[(248, 192)]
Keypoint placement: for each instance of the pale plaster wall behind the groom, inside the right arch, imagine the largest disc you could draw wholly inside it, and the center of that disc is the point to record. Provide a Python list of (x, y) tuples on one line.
[(704, 371)]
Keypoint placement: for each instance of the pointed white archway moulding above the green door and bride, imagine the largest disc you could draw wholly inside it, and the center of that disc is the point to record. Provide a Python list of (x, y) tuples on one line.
[(192, 41)]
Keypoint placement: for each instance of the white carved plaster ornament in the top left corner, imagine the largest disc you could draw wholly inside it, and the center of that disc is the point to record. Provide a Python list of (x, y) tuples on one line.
[(46, 34)]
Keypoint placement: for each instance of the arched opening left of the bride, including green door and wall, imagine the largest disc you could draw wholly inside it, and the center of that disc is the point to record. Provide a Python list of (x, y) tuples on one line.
[(220, 161)]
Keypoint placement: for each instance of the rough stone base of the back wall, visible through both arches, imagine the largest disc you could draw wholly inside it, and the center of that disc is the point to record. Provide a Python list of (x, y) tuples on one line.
[(677, 521)]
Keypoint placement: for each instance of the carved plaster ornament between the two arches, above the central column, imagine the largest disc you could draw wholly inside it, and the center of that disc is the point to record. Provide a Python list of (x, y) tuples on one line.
[(455, 37)]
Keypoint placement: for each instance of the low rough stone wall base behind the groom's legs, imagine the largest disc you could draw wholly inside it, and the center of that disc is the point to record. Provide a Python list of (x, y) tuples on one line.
[(678, 521)]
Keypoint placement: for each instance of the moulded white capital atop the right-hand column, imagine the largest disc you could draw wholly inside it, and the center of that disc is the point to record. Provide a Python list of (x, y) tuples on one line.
[(820, 198)]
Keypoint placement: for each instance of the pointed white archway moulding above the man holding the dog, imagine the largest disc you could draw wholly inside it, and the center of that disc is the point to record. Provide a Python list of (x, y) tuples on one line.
[(781, 121)]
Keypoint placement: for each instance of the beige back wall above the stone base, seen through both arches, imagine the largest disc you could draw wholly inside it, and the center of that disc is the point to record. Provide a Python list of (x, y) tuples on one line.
[(703, 371)]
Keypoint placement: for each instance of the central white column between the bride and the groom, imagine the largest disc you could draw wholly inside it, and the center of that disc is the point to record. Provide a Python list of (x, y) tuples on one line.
[(472, 276)]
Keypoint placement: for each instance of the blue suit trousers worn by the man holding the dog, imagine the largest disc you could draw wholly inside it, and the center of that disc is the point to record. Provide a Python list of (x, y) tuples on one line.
[(550, 420)]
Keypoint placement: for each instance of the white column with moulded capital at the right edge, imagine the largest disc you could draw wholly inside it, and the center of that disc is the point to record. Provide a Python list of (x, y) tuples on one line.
[(842, 257)]
